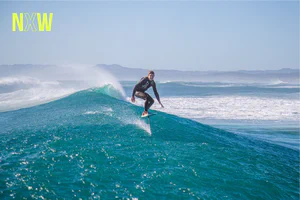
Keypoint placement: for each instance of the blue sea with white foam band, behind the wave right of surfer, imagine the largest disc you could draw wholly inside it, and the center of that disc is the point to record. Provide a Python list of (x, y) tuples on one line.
[(270, 112)]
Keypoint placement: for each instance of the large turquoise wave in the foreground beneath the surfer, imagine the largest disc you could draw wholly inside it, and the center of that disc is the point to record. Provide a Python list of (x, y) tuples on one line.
[(90, 145)]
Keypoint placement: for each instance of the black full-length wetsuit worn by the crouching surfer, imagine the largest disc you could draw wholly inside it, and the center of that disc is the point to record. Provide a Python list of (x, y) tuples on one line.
[(141, 87)]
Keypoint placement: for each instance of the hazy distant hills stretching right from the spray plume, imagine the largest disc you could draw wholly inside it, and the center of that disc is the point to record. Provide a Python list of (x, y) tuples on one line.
[(285, 75)]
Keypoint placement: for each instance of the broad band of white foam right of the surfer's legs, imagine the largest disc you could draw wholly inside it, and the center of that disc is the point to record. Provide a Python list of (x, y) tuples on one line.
[(232, 107)]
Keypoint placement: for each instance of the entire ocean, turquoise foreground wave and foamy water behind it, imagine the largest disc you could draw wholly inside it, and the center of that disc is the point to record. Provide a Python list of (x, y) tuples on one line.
[(211, 141)]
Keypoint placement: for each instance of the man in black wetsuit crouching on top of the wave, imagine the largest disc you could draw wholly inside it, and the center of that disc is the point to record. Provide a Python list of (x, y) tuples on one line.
[(140, 88)]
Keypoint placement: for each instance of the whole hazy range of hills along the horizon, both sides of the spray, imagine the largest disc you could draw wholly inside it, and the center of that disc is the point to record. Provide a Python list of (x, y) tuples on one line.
[(285, 75)]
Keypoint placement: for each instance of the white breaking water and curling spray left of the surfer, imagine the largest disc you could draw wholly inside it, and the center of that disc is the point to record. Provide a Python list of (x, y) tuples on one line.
[(34, 85)]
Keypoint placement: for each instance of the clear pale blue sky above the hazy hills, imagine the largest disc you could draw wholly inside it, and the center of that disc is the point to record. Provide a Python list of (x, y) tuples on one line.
[(180, 35)]
